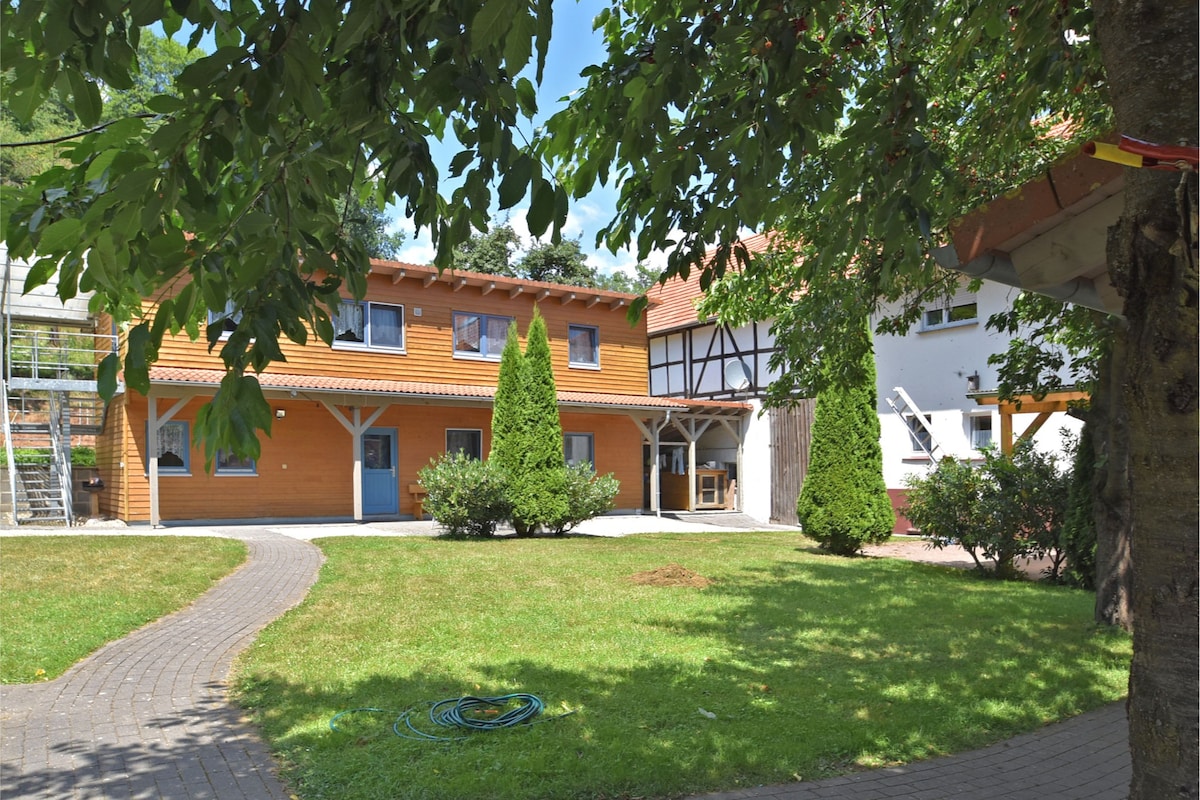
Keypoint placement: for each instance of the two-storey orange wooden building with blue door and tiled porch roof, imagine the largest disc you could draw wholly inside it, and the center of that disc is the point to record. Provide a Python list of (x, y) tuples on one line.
[(411, 375)]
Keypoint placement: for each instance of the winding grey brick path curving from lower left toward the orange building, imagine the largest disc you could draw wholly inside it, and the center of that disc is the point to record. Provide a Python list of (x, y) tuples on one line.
[(147, 717)]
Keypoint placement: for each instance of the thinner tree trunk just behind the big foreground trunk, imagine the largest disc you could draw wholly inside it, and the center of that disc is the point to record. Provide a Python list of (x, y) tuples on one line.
[(1111, 490)]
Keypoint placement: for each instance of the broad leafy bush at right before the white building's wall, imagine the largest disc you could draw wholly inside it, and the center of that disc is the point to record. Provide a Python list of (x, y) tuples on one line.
[(1010, 508)]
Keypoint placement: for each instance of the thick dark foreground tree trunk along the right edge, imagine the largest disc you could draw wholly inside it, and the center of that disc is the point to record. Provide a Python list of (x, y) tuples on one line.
[(1151, 63)]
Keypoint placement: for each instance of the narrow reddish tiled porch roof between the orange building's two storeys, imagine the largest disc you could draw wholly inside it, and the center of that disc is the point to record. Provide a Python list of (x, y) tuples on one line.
[(410, 389)]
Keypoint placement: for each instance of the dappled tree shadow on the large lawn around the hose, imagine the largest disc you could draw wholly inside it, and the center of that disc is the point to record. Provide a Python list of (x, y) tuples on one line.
[(814, 667)]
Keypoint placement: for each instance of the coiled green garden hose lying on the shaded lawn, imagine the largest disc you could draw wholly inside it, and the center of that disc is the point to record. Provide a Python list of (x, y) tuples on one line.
[(469, 713)]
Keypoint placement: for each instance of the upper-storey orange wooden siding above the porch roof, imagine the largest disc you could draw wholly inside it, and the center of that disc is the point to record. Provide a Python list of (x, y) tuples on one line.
[(429, 353)]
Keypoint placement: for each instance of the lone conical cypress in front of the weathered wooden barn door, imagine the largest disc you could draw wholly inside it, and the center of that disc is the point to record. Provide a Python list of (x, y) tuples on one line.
[(844, 502)]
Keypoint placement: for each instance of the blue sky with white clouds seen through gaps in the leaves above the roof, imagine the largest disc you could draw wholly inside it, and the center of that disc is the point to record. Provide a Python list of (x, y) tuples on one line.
[(573, 47)]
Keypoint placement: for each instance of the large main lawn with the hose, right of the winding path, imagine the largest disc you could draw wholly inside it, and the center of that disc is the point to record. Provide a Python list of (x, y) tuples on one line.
[(813, 665)]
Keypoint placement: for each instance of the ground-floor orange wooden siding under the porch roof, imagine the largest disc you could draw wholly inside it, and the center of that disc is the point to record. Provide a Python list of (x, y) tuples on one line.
[(305, 470)]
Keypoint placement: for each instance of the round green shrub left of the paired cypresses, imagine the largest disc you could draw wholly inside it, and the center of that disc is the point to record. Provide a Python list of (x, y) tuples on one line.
[(466, 496)]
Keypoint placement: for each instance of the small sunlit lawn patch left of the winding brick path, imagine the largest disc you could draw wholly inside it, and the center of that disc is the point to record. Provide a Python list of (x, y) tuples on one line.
[(62, 598)]
